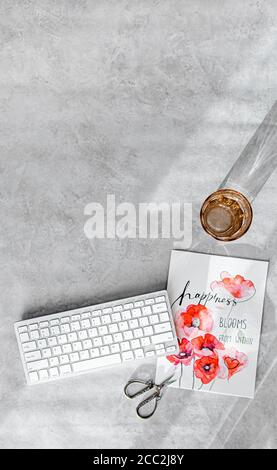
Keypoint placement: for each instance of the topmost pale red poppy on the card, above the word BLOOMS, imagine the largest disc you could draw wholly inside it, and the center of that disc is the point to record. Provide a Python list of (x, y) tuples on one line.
[(237, 286)]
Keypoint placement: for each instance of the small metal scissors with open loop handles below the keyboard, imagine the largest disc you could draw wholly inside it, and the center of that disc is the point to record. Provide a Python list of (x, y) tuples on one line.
[(149, 385)]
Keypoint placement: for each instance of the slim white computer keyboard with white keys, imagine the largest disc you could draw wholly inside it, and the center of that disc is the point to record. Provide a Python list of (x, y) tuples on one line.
[(77, 341)]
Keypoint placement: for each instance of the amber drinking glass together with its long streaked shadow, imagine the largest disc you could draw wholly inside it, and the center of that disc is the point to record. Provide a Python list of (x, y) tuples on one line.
[(227, 213)]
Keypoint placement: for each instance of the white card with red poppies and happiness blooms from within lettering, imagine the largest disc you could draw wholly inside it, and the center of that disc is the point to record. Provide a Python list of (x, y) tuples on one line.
[(217, 304)]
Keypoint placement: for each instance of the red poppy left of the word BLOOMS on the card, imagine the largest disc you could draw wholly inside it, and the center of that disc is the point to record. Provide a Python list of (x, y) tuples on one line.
[(194, 318)]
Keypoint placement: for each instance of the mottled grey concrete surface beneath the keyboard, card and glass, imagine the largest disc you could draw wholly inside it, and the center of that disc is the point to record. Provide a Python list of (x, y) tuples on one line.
[(151, 101)]
